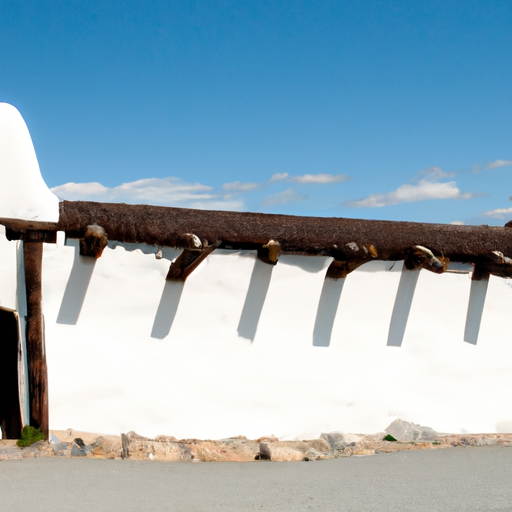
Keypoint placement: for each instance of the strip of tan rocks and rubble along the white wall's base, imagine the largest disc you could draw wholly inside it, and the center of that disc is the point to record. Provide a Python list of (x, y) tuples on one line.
[(409, 436)]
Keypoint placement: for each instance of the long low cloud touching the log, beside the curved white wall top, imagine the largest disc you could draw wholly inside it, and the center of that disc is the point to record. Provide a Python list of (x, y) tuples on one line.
[(159, 191)]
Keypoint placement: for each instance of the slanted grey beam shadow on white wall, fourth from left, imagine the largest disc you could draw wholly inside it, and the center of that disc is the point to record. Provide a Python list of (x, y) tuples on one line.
[(326, 312)]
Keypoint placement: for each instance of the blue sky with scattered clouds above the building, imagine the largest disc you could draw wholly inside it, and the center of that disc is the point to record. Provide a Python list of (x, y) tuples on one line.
[(368, 109)]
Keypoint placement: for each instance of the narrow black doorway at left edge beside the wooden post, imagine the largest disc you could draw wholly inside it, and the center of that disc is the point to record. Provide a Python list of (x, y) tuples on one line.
[(10, 414)]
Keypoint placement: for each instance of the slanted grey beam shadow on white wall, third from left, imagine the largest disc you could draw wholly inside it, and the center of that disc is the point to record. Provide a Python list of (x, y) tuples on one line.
[(254, 300)]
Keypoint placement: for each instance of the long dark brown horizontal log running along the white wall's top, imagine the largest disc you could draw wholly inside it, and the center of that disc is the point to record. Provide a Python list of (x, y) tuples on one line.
[(342, 238)]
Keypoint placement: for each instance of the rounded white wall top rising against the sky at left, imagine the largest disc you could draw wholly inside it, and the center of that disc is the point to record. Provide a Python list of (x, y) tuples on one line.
[(23, 192)]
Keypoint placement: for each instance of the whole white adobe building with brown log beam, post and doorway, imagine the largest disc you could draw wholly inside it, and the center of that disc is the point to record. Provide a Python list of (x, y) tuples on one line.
[(210, 324)]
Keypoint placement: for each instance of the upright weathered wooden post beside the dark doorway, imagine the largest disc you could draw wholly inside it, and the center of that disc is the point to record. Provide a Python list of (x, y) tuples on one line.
[(36, 353)]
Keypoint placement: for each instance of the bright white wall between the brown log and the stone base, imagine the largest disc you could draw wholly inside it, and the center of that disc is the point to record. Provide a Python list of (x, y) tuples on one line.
[(113, 368)]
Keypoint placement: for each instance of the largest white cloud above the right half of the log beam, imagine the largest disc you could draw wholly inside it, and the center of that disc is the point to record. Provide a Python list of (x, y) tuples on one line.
[(423, 191)]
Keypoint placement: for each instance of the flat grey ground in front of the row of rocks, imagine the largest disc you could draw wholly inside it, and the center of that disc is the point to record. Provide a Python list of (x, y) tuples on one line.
[(458, 479)]
